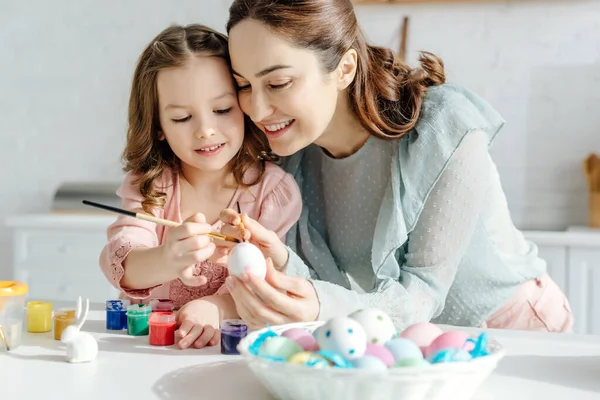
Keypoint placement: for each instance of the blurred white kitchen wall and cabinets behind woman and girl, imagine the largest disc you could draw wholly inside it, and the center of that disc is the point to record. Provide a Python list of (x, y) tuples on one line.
[(65, 71)]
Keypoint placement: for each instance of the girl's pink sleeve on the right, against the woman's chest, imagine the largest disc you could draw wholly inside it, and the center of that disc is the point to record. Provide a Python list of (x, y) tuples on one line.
[(281, 207)]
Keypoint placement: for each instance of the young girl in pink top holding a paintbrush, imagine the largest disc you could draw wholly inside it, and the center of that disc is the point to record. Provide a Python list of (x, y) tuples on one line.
[(187, 157)]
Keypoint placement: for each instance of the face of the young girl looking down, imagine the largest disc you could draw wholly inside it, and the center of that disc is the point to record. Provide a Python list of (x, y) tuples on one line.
[(199, 113)]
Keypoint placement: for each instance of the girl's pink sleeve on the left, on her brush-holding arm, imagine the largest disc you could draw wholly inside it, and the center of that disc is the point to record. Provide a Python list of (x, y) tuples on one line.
[(126, 234)]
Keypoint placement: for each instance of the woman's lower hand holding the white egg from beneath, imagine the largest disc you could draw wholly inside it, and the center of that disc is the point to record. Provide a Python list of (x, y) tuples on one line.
[(279, 299)]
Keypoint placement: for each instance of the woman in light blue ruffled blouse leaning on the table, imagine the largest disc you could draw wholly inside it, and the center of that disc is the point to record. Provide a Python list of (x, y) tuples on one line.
[(403, 208)]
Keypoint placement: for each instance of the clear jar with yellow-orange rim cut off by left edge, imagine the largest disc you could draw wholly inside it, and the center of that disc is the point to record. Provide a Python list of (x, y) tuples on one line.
[(12, 304)]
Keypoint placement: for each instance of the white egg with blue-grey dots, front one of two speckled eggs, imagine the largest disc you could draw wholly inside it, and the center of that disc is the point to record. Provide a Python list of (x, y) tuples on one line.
[(343, 336)]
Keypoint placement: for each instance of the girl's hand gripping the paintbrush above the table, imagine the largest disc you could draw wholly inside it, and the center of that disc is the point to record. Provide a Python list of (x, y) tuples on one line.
[(187, 245)]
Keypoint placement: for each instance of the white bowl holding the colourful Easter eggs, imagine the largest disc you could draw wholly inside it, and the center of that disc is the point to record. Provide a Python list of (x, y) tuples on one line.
[(449, 381)]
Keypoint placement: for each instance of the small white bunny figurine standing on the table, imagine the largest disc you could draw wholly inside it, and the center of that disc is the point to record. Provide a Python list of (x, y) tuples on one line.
[(81, 346)]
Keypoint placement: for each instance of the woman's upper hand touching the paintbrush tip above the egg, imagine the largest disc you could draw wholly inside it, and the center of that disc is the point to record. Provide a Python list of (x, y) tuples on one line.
[(266, 240)]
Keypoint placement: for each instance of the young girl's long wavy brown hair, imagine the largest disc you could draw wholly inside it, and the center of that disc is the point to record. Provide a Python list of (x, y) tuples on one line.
[(144, 153)]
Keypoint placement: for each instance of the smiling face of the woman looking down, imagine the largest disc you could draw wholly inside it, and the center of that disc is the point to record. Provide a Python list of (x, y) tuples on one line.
[(282, 88)]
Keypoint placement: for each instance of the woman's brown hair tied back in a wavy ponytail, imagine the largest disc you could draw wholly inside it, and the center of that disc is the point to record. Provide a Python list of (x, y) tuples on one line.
[(386, 94)]
